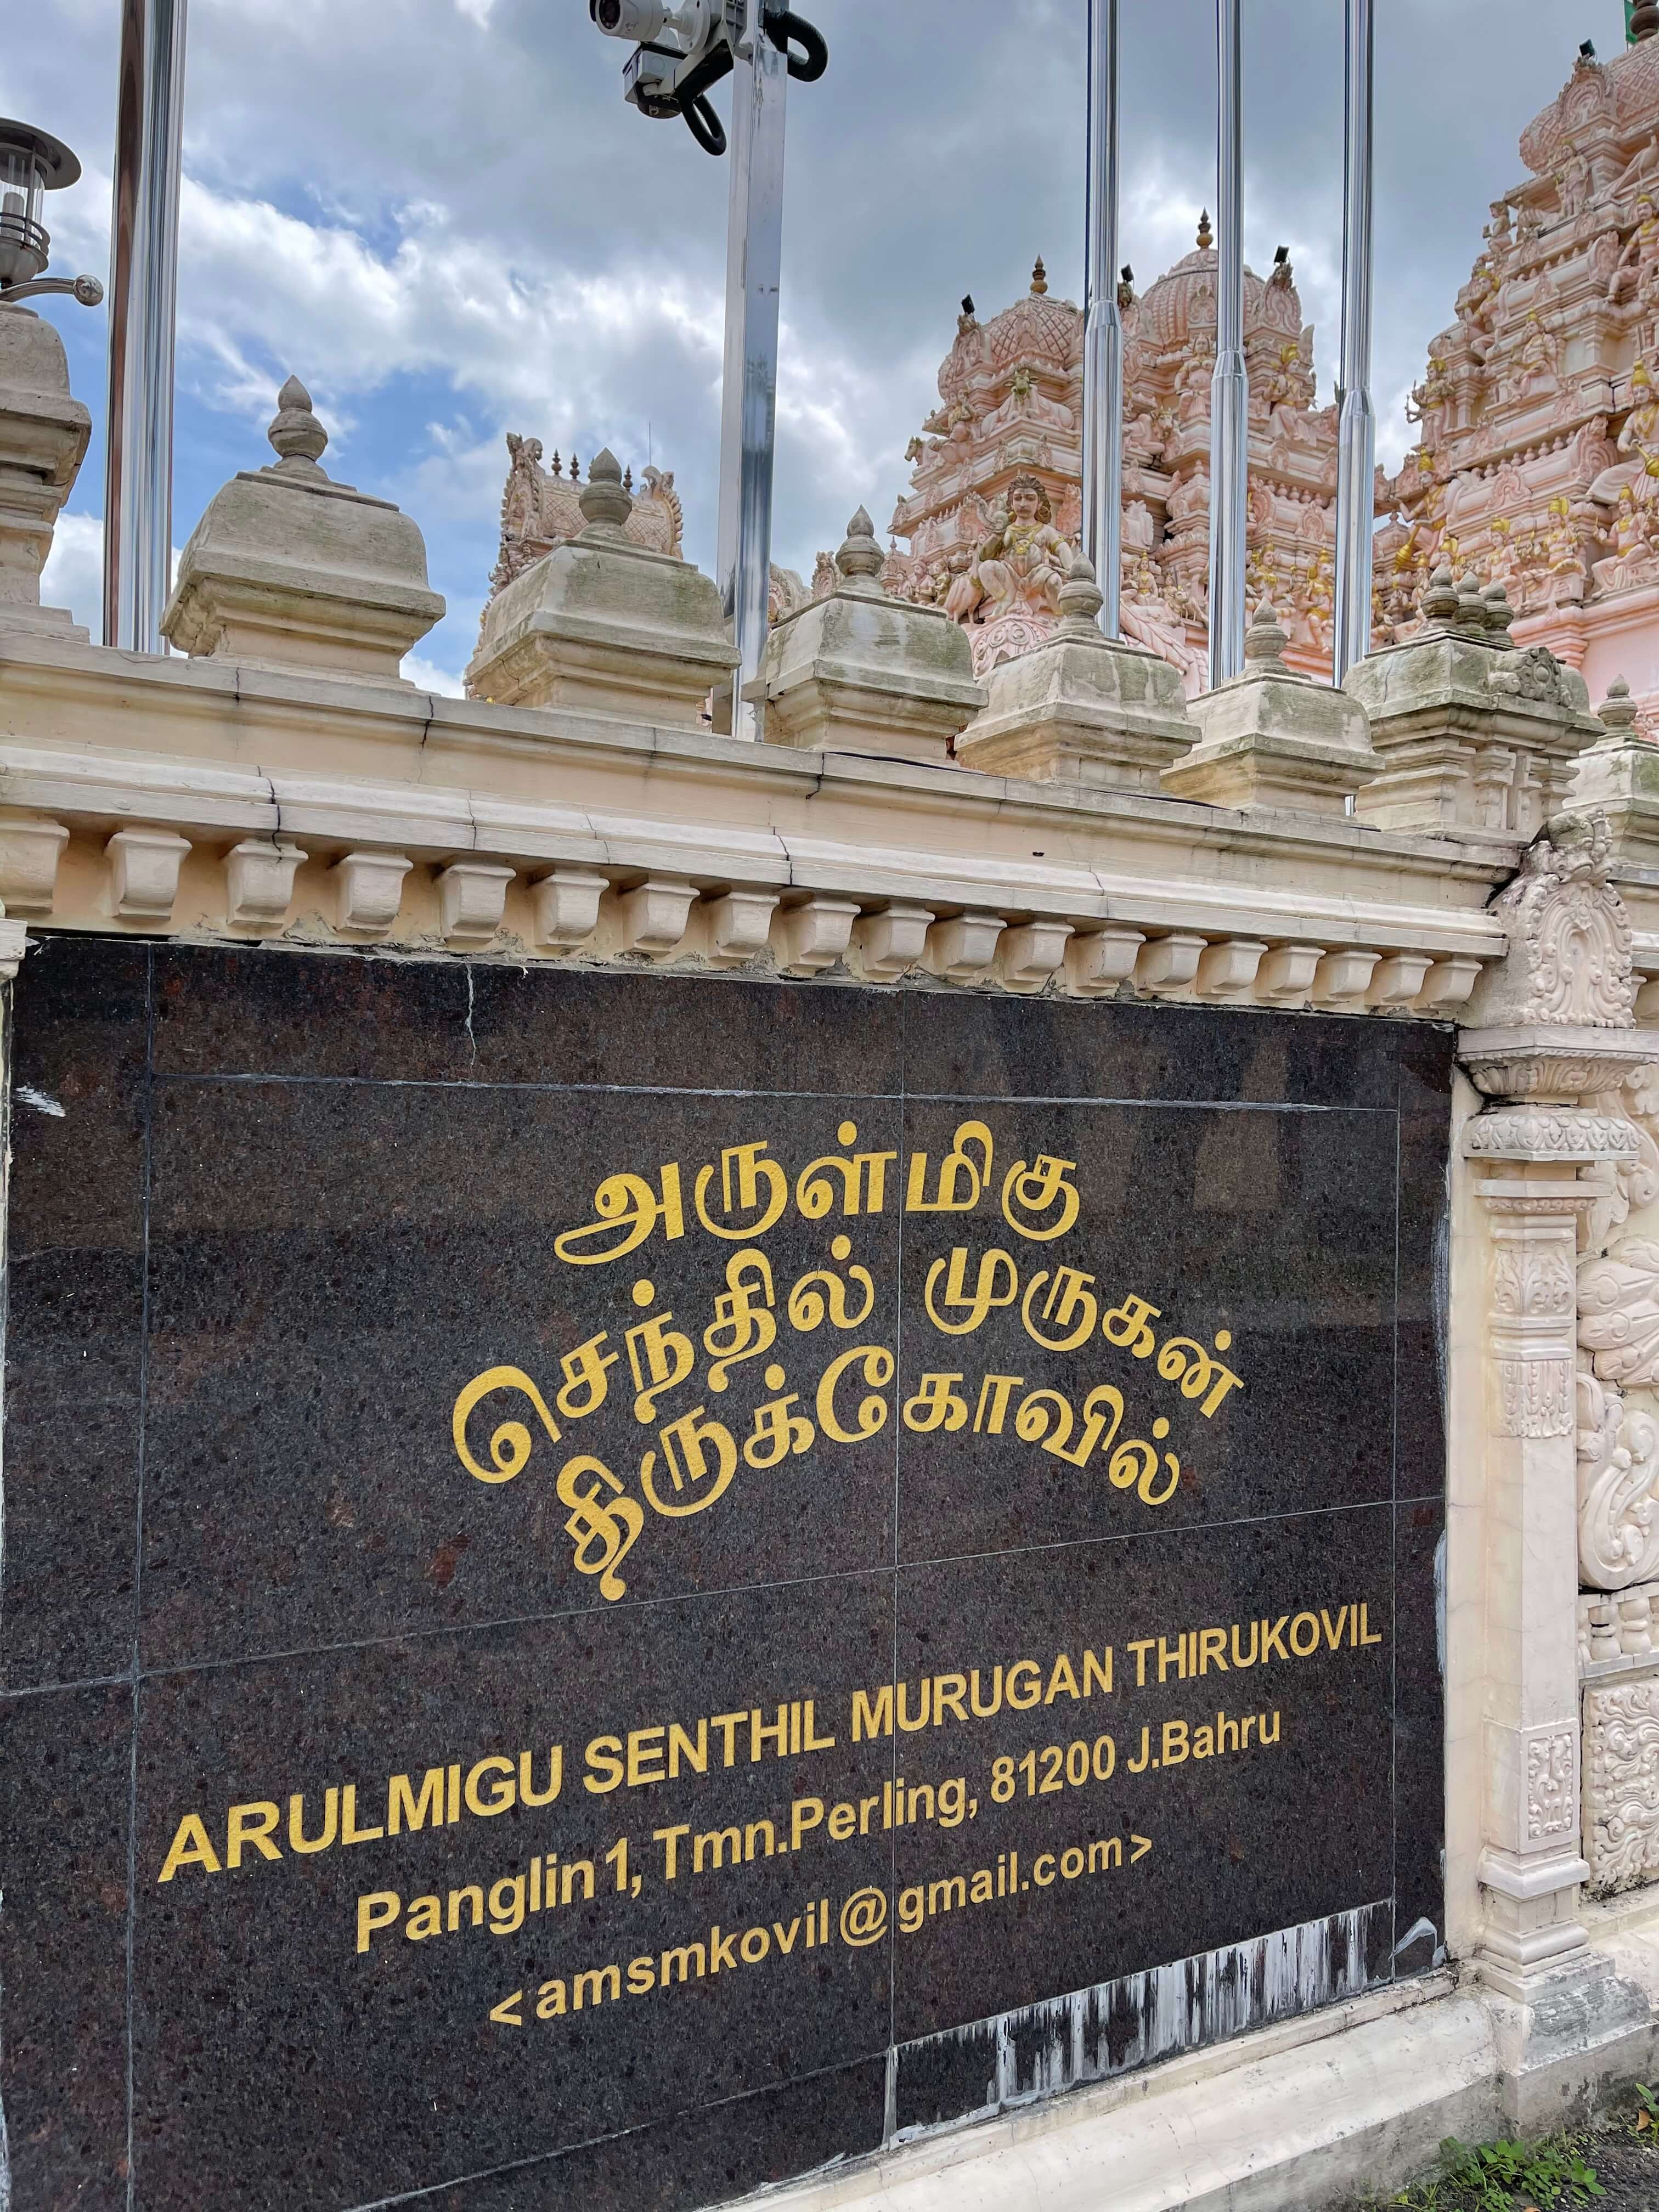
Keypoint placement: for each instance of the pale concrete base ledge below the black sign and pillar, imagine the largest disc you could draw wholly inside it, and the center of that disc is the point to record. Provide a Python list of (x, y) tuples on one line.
[(1295, 2118)]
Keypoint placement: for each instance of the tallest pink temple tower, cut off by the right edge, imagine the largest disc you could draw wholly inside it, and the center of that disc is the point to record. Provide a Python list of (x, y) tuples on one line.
[(1538, 428)]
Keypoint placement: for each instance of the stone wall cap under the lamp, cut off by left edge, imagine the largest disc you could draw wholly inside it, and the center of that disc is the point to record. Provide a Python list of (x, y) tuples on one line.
[(43, 439)]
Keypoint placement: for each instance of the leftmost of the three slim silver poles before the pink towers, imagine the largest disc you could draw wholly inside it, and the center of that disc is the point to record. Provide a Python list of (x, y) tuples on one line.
[(1103, 324)]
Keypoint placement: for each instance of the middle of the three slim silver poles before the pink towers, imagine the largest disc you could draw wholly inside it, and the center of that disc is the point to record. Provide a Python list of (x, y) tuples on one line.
[(1231, 384)]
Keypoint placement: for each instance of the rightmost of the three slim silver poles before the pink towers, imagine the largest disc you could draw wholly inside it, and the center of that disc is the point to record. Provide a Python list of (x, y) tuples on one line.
[(1357, 424)]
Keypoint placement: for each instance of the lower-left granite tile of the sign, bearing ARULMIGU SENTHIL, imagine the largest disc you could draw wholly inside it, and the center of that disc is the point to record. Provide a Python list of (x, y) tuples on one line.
[(437, 2089)]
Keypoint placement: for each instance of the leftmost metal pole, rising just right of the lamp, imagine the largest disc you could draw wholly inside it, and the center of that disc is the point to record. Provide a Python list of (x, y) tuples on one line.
[(145, 286)]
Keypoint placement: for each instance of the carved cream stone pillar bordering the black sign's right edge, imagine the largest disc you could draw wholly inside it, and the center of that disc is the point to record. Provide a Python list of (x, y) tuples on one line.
[(1554, 1030)]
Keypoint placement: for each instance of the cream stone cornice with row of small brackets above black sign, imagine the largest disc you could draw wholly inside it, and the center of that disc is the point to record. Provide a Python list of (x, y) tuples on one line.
[(1105, 888)]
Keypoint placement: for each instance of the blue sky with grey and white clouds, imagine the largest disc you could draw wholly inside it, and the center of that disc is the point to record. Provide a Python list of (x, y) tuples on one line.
[(441, 216)]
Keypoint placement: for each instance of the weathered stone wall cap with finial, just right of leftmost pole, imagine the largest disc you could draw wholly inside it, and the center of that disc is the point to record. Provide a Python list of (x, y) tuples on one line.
[(295, 570)]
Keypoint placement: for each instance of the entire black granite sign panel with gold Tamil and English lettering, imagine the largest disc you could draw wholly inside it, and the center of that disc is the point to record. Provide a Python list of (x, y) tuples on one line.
[(298, 1204)]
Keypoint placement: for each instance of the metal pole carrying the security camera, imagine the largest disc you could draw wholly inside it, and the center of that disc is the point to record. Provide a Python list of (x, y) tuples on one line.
[(751, 375)]
